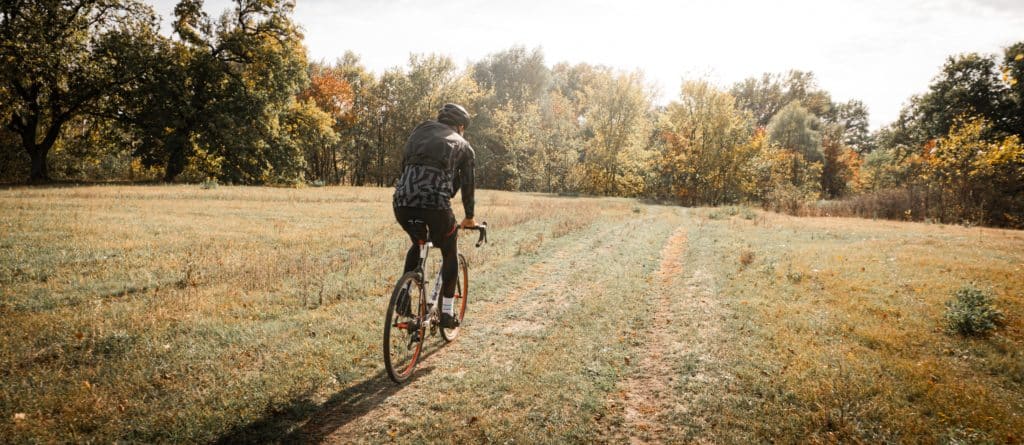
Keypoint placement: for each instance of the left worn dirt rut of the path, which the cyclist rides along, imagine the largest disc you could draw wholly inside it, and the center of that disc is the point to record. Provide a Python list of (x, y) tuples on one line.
[(525, 308)]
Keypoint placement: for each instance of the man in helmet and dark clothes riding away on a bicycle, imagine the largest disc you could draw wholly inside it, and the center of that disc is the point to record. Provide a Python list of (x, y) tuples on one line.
[(437, 163)]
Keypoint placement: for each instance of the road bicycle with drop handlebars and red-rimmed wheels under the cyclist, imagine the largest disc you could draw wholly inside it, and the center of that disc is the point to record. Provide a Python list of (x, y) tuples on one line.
[(406, 328)]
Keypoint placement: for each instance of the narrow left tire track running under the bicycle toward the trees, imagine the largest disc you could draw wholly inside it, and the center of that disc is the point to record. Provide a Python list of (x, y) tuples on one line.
[(339, 425)]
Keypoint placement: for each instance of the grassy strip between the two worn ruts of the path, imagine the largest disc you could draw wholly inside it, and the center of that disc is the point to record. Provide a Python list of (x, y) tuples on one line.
[(545, 384)]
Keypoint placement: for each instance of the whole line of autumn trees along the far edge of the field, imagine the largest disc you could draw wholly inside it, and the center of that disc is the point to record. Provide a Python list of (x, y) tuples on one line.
[(93, 92)]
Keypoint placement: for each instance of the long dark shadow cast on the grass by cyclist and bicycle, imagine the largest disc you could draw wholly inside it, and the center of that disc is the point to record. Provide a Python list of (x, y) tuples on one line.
[(306, 422)]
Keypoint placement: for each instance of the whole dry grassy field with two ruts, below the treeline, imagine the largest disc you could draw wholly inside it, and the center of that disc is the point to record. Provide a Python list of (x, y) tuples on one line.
[(243, 315)]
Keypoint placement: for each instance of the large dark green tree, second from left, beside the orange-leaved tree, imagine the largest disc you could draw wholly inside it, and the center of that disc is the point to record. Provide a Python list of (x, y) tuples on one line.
[(221, 91)]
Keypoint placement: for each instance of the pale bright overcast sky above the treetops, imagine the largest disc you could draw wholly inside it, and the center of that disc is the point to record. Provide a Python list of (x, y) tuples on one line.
[(878, 52)]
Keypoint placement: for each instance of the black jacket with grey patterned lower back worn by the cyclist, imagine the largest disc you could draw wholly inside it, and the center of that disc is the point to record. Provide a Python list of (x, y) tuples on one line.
[(436, 164)]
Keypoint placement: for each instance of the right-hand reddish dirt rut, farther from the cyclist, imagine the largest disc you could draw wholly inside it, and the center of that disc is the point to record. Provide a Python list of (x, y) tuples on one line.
[(678, 367)]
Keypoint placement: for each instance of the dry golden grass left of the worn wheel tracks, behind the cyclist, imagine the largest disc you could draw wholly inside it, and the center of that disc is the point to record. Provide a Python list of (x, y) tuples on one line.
[(180, 314)]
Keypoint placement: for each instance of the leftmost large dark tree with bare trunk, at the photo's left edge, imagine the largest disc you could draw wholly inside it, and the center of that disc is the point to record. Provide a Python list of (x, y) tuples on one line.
[(61, 60)]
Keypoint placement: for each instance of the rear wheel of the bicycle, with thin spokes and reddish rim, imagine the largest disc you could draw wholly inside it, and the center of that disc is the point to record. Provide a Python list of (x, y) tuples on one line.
[(404, 332)]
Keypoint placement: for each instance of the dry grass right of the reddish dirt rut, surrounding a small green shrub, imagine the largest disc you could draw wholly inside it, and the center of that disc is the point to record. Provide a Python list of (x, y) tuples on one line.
[(837, 332)]
